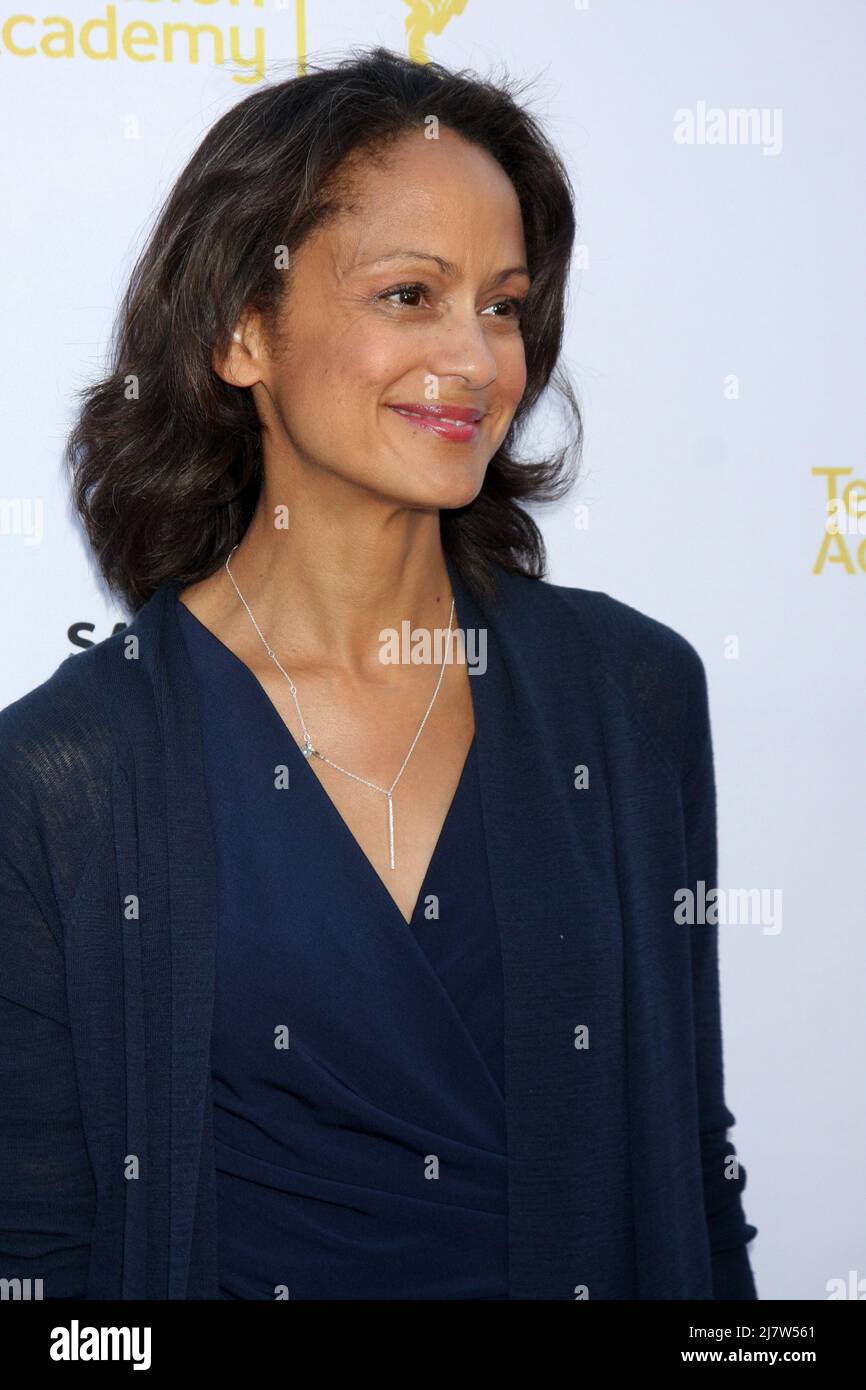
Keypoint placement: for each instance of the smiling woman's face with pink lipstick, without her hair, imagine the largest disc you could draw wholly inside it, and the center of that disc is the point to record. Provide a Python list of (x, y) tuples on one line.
[(357, 345)]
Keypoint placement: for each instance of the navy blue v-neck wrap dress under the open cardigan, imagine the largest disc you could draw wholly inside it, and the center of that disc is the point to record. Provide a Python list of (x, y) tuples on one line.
[(357, 1060)]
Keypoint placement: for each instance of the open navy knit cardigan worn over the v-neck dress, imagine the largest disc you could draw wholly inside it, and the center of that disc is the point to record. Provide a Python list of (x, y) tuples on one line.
[(622, 1179)]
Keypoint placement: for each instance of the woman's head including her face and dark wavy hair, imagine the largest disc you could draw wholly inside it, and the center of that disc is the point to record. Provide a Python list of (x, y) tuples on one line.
[(394, 261)]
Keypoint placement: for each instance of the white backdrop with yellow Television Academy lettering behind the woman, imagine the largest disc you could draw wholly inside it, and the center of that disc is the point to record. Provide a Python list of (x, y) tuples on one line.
[(717, 338)]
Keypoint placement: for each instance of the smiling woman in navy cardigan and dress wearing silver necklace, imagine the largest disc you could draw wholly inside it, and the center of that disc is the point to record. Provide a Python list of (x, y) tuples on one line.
[(329, 975)]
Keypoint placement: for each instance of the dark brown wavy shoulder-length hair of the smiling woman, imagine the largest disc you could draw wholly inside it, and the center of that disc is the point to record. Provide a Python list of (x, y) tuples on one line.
[(166, 475)]
